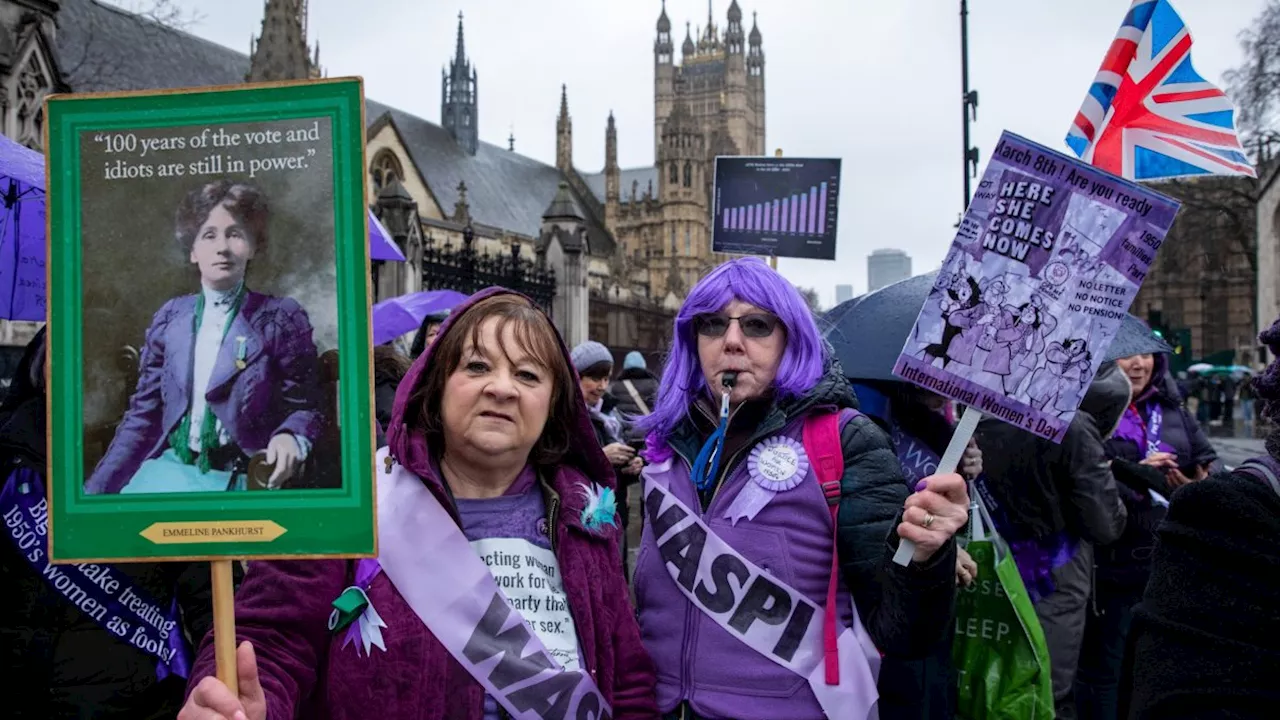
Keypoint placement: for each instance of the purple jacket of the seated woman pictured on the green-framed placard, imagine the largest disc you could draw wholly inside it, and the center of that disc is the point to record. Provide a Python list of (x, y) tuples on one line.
[(276, 393)]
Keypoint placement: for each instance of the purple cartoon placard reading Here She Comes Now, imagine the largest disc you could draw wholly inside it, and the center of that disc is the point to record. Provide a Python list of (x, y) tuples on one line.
[(1049, 258)]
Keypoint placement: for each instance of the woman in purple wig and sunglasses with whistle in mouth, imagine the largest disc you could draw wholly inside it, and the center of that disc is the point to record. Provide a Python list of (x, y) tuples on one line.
[(766, 584)]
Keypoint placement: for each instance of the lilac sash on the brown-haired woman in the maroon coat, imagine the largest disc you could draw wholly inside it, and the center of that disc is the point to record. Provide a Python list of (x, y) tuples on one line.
[(433, 567)]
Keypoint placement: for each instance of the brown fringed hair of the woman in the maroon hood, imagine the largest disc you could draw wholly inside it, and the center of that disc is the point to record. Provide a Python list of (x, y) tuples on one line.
[(536, 336)]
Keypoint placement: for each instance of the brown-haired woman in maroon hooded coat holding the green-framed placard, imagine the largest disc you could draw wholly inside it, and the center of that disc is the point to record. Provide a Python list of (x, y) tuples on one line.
[(497, 591)]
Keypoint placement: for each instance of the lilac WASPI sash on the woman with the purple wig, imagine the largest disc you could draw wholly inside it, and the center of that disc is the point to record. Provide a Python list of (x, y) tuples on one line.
[(765, 614)]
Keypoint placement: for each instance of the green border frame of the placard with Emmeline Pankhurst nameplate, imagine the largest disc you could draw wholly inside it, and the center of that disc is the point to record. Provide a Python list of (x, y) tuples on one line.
[(317, 523)]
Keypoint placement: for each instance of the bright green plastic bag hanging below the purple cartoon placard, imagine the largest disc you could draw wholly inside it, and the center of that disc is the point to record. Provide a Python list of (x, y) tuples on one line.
[(999, 653)]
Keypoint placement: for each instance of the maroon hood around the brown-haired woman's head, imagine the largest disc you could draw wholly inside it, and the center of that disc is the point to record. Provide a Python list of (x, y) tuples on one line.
[(409, 446)]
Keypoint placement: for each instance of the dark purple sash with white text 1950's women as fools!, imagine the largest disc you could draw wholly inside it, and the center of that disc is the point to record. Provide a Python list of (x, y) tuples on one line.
[(97, 590)]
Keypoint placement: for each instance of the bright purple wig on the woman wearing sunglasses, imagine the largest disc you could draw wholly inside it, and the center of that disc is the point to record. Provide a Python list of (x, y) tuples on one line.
[(748, 280)]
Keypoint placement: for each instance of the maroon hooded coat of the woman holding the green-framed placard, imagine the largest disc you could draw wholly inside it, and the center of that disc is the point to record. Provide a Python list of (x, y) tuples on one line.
[(284, 609)]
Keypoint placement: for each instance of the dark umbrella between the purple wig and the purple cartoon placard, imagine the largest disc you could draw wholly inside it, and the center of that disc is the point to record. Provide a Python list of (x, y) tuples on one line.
[(868, 332)]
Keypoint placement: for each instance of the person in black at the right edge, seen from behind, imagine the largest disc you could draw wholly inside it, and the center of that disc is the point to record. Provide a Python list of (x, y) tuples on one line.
[(1205, 641)]
